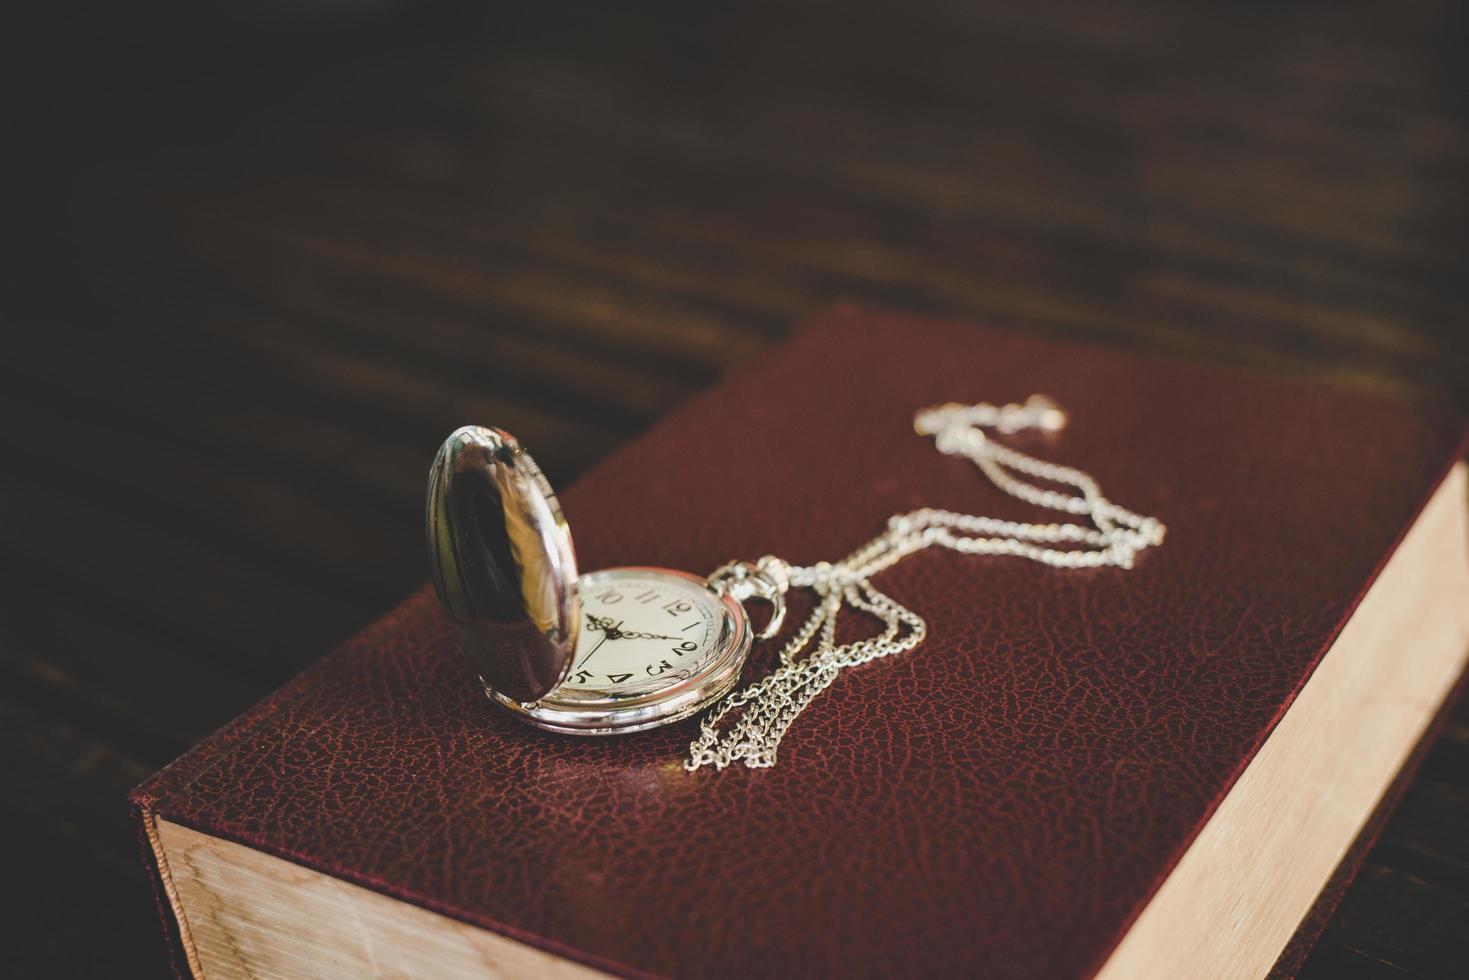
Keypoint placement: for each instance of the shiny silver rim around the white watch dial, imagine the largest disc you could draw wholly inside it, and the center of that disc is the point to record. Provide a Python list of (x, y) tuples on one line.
[(618, 715)]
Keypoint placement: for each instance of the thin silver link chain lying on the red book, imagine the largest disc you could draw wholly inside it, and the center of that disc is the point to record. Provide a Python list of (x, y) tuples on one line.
[(748, 725)]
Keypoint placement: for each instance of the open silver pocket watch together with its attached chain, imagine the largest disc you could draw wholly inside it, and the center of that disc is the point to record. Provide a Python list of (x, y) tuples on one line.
[(625, 650)]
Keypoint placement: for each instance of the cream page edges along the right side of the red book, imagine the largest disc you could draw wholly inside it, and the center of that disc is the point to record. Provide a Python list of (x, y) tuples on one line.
[(1183, 931)]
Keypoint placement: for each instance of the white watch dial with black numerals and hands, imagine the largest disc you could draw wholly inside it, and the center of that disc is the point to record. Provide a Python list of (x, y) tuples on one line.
[(643, 631)]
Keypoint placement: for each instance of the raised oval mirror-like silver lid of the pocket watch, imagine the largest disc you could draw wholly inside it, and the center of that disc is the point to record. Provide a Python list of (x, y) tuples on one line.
[(503, 562)]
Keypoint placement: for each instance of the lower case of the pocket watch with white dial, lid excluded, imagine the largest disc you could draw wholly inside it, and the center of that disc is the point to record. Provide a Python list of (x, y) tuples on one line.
[(654, 646)]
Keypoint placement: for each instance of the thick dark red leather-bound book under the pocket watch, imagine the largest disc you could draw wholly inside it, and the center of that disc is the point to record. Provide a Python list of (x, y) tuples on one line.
[(1058, 782)]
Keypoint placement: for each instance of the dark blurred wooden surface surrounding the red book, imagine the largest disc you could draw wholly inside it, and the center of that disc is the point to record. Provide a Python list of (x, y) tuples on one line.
[(261, 258)]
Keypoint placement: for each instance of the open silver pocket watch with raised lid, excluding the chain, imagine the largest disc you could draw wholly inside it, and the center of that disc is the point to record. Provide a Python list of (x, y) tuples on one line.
[(603, 653)]
